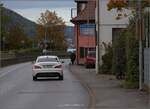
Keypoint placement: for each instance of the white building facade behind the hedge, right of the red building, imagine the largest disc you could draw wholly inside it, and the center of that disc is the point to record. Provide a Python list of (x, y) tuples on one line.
[(107, 27)]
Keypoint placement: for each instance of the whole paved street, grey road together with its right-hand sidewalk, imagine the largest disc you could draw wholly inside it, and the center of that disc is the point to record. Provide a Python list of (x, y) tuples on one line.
[(80, 89)]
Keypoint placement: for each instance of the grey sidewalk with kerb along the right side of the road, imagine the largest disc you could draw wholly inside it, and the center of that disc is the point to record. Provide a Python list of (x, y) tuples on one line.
[(108, 92)]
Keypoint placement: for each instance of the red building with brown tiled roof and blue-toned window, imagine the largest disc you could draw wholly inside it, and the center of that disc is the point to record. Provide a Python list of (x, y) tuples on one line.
[(84, 23)]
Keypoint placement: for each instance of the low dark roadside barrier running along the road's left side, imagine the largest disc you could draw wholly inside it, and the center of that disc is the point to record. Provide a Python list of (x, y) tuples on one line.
[(10, 58)]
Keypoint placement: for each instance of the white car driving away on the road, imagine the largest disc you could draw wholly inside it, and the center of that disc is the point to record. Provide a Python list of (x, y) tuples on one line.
[(47, 66)]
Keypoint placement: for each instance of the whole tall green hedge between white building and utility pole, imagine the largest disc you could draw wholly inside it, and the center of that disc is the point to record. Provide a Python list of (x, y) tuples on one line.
[(122, 59)]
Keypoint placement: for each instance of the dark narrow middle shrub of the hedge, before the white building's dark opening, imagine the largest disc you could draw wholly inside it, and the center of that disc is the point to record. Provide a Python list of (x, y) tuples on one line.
[(119, 55)]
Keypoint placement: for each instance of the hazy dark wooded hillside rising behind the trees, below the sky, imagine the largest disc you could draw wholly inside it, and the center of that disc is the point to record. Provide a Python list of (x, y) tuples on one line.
[(30, 27)]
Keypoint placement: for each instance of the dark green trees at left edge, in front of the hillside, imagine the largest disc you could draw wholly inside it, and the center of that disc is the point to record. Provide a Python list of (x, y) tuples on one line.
[(12, 35)]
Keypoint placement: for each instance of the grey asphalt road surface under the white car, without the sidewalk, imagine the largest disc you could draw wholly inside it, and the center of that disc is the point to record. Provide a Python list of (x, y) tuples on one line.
[(18, 91)]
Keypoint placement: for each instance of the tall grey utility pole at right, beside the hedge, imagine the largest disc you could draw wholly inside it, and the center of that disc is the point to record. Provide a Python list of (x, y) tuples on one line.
[(139, 34)]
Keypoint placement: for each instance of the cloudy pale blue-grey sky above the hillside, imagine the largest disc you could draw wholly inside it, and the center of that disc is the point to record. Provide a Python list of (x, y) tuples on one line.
[(31, 9)]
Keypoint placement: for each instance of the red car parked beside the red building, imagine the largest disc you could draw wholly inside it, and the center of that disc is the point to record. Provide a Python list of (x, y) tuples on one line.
[(90, 59)]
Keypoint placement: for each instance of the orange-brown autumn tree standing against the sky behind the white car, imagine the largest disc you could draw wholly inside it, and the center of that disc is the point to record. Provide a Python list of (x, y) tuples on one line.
[(50, 31)]
